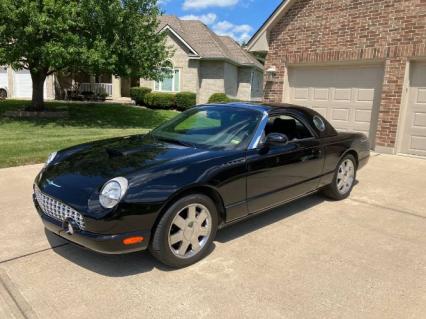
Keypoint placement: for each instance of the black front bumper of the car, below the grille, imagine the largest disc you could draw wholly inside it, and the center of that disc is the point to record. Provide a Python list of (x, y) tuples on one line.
[(107, 244)]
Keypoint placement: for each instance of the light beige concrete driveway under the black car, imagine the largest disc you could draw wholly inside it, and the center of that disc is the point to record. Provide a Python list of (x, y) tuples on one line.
[(364, 257)]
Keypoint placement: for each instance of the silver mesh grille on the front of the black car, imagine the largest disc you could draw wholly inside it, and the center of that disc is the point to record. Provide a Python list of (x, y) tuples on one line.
[(57, 210)]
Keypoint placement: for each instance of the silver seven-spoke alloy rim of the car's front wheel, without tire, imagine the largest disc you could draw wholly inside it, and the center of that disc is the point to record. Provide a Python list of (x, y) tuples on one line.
[(190, 230)]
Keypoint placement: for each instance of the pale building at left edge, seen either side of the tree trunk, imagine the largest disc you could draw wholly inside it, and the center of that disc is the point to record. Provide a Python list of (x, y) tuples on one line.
[(18, 84)]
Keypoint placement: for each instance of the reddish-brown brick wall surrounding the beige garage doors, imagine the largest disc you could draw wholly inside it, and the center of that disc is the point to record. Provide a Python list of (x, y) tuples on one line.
[(322, 31)]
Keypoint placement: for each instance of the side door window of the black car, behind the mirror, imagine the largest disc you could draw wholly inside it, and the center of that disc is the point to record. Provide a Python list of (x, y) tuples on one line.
[(288, 125)]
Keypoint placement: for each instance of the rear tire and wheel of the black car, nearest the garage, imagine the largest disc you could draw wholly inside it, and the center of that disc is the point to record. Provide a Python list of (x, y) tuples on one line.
[(343, 180)]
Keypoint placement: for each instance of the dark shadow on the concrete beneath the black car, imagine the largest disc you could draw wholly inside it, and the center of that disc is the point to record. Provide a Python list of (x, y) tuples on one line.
[(141, 262)]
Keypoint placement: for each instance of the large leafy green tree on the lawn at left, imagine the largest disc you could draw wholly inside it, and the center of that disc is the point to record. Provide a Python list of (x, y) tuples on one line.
[(110, 36)]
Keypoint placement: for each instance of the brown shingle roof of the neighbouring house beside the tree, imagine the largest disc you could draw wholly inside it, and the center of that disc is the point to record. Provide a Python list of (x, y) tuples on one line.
[(208, 44)]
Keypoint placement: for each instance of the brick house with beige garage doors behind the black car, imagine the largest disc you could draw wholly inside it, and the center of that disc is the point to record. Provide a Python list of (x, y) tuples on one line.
[(360, 63)]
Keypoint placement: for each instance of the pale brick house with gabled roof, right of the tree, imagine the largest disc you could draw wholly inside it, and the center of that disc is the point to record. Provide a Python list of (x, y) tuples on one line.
[(205, 63)]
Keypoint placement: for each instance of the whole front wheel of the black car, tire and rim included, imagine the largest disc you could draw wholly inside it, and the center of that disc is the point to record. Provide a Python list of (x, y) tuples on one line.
[(189, 220)]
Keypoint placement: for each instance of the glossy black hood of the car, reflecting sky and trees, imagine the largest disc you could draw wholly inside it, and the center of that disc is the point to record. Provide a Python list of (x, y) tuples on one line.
[(77, 174)]
